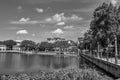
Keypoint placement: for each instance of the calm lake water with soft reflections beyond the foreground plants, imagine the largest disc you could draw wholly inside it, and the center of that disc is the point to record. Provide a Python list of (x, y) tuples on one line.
[(11, 62)]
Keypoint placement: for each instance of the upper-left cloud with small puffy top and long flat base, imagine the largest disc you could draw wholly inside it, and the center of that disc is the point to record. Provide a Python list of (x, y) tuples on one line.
[(24, 21)]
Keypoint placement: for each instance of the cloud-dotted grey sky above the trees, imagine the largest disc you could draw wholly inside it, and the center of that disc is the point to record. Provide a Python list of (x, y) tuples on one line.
[(40, 19)]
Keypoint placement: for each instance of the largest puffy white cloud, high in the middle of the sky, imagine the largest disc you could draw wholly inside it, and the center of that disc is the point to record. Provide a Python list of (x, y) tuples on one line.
[(61, 18)]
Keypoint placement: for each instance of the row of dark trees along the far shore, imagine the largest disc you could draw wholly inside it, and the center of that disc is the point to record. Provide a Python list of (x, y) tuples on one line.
[(29, 45)]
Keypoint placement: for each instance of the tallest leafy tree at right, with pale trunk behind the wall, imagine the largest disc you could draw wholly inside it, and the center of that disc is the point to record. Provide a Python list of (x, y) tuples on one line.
[(105, 25)]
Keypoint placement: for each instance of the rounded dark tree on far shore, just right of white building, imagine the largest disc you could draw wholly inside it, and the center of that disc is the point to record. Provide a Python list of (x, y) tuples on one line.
[(28, 45)]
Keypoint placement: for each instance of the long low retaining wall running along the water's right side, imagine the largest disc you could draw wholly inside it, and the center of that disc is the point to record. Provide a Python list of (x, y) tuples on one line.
[(109, 66)]
